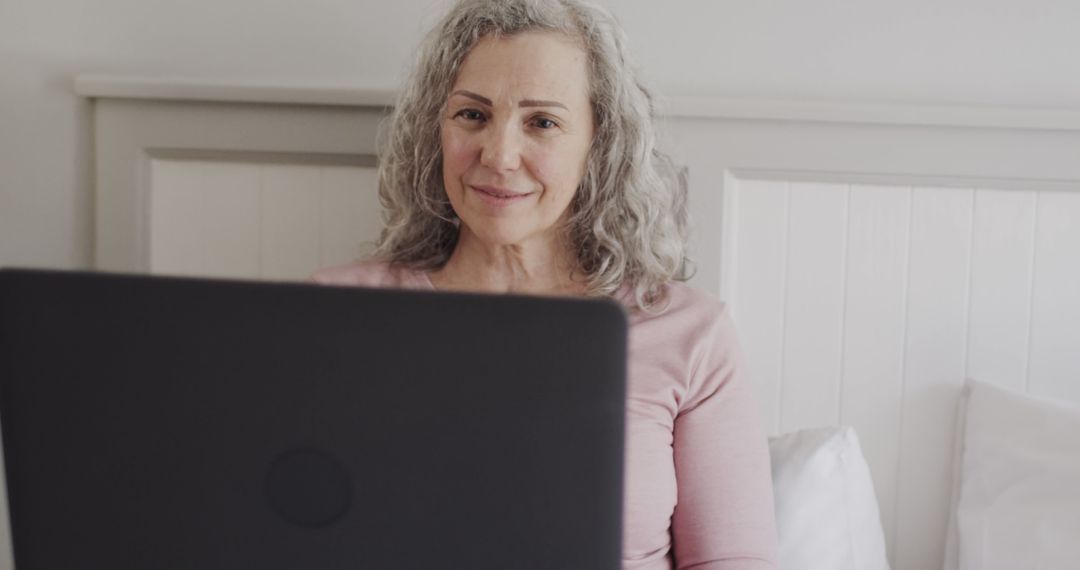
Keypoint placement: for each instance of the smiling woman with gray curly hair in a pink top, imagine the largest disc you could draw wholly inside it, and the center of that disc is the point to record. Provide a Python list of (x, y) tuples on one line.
[(520, 159)]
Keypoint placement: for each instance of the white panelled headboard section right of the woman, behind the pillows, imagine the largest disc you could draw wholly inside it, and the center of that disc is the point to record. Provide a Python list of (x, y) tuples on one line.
[(872, 265)]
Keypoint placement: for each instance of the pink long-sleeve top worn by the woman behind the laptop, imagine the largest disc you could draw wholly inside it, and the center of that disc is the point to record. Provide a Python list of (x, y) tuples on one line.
[(699, 491)]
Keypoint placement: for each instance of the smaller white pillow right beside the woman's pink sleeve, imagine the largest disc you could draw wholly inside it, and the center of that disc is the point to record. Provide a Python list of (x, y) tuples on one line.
[(827, 513)]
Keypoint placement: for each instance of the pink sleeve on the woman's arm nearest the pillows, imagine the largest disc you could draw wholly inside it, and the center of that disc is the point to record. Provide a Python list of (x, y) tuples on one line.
[(724, 519)]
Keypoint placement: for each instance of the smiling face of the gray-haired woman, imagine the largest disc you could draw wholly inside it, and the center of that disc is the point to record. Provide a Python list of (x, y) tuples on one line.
[(516, 135)]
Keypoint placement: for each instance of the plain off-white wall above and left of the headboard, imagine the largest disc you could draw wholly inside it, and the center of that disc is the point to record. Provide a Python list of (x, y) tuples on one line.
[(992, 52)]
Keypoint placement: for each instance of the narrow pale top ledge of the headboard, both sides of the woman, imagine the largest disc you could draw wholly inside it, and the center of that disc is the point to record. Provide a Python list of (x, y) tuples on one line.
[(725, 108)]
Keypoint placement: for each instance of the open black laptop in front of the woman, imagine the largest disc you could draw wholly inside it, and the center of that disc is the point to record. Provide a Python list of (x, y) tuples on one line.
[(185, 424)]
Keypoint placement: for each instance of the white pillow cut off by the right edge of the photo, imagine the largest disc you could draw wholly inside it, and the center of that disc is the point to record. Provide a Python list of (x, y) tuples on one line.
[(1018, 501)]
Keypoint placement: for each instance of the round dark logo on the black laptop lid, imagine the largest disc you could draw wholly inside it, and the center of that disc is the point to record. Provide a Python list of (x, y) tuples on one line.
[(308, 487)]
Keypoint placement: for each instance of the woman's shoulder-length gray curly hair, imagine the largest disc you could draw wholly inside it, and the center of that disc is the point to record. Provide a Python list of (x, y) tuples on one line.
[(628, 220)]
